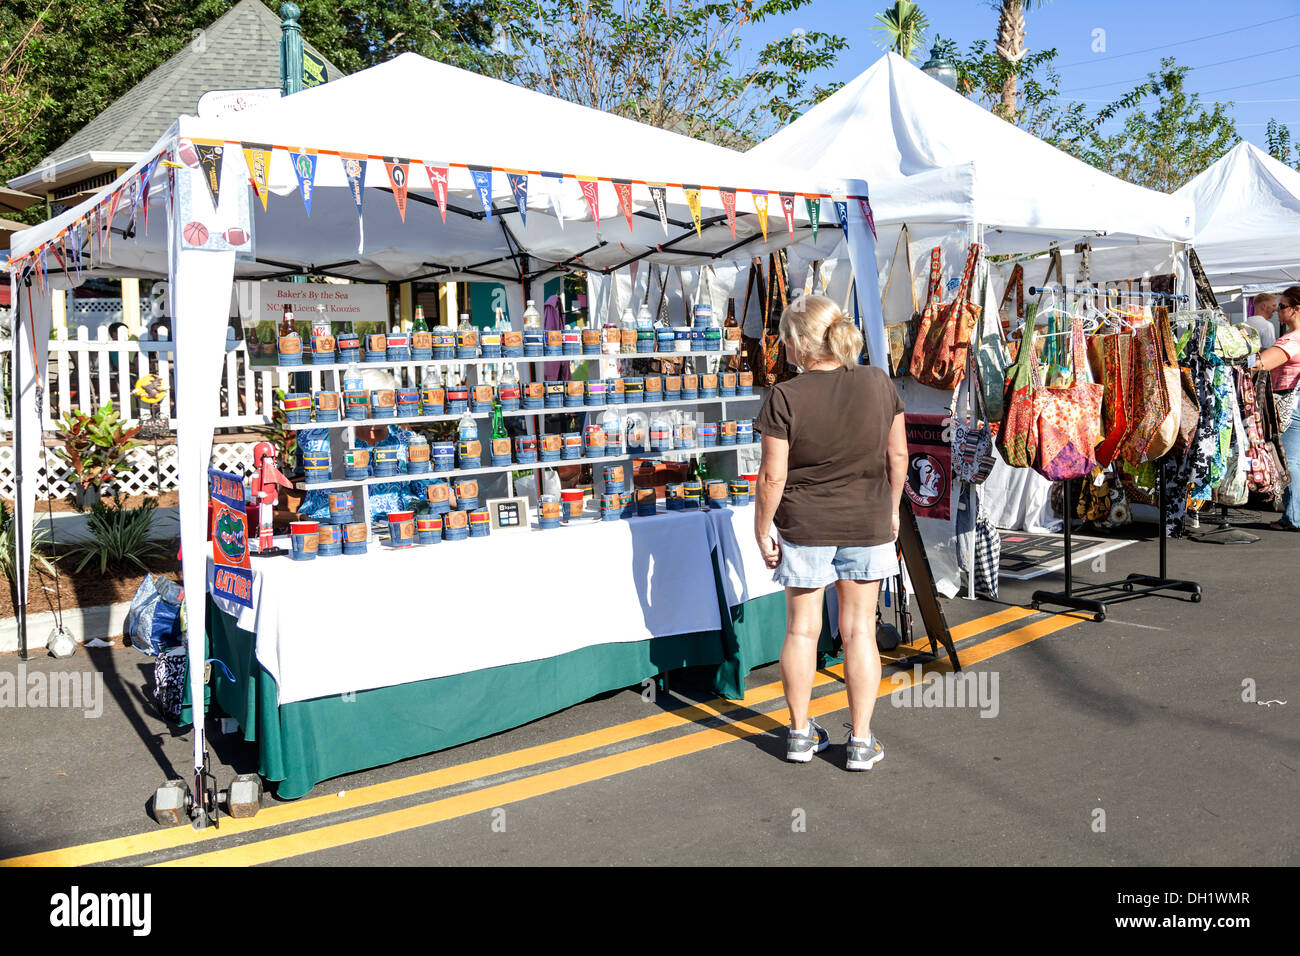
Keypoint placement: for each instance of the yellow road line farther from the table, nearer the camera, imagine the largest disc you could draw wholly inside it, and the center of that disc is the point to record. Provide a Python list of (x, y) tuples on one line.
[(515, 791)]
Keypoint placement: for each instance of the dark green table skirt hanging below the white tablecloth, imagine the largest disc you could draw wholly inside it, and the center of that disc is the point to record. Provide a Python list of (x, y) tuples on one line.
[(304, 743)]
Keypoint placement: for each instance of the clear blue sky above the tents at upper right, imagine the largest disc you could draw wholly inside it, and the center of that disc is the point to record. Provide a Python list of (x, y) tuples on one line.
[(1238, 57)]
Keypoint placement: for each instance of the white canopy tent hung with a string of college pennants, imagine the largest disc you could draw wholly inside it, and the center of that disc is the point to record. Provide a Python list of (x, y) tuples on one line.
[(475, 123)]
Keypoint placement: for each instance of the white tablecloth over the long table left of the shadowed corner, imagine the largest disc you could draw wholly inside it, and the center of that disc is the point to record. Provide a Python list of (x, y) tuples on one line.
[(357, 622)]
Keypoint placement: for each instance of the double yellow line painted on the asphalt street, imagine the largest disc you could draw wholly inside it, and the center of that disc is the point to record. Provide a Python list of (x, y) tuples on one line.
[(514, 791)]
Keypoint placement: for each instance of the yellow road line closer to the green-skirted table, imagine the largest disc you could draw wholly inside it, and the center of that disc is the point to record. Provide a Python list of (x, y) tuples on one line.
[(279, 815)]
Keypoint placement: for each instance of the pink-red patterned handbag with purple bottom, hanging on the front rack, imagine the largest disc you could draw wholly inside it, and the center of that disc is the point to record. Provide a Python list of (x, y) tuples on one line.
[(1069, 418)]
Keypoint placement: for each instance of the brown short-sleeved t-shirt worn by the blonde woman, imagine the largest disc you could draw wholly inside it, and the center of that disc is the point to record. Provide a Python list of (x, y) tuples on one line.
[(838, 485)]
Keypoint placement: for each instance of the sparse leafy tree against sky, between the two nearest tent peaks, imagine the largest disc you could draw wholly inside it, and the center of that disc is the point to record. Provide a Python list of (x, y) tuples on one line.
[(677, 64)]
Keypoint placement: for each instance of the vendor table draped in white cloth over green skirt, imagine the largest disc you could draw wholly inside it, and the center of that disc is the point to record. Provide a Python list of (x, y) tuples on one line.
[(357, 661)]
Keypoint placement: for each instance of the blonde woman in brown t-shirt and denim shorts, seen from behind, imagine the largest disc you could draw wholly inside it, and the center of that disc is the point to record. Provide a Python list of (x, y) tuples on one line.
[(835, 461)]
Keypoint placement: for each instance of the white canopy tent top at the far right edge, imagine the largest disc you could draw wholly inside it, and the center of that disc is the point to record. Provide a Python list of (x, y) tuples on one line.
[(1247, 220)]
